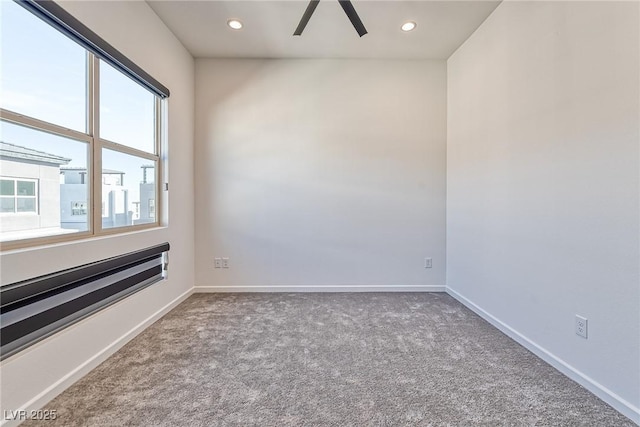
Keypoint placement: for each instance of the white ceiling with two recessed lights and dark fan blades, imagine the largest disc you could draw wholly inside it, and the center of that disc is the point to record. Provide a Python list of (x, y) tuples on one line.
[(268, 28)]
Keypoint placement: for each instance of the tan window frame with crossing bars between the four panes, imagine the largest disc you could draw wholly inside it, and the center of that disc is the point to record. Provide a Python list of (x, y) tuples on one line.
[(95, 145)]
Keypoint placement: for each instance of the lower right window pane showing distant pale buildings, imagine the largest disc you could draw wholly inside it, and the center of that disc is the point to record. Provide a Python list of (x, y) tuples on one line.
[(128, 188)]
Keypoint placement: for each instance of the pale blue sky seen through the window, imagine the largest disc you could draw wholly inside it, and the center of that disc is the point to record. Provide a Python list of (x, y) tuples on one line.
[(43, 75)]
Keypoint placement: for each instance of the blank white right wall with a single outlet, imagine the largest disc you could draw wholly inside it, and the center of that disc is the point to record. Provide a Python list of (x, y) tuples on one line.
[(542, 184)]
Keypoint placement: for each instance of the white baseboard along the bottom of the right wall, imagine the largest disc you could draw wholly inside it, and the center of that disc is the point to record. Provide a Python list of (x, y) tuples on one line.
[(626, 408)]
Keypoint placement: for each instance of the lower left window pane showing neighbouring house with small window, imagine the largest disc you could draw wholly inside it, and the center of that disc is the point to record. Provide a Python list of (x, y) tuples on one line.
[(49, 170)]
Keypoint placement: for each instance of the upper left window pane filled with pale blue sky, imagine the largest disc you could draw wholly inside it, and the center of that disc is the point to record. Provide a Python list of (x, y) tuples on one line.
[(43, 71)]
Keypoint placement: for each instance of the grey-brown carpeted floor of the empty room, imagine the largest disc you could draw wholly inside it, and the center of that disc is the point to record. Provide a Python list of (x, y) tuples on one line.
[(347, 359)]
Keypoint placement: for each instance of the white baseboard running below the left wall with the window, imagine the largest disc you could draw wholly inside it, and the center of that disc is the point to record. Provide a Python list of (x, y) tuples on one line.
[(65, 382)]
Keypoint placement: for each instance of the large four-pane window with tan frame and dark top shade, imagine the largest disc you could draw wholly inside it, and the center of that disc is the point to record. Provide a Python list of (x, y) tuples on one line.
[(71, 102)]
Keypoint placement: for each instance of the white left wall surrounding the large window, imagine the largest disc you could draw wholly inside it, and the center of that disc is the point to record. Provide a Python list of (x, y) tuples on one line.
[(33, 376)]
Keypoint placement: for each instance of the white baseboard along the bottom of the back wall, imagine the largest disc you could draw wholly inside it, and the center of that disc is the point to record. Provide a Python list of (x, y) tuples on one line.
[(319, 288)]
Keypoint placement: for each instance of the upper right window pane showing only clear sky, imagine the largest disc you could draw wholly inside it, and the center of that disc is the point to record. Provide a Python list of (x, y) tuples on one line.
[(127, 110)]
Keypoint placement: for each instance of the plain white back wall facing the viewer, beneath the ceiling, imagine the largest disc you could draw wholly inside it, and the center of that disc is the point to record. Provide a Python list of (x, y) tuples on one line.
[(315, 174)]
